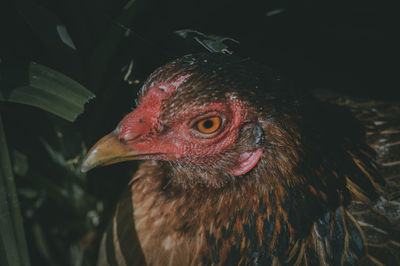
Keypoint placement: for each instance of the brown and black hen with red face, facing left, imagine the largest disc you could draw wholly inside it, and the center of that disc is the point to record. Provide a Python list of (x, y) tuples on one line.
[(243, 169)]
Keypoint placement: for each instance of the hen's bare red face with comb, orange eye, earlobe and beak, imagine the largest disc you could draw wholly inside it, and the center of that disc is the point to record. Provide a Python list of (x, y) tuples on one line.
[(199, 134)]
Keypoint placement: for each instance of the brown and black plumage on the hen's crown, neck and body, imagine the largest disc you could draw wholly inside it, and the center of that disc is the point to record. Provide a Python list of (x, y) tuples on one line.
[(317, 196)]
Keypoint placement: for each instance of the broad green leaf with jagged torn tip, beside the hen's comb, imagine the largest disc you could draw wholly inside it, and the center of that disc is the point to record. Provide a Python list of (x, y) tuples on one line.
[(40, 86)]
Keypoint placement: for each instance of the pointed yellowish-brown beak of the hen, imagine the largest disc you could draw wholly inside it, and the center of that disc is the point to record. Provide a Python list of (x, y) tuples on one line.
[(108, 150)]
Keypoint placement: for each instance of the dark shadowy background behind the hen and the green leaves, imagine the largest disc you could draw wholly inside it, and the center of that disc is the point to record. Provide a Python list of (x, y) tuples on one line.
[(348, 47)]
